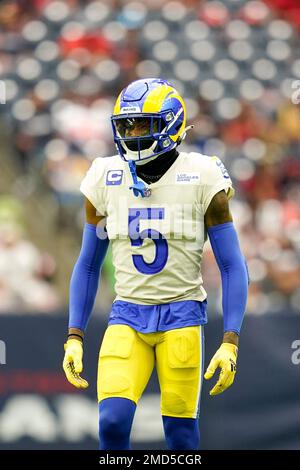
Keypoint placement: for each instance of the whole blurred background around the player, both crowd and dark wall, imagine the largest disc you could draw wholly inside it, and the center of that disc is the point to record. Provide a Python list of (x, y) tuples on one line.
[(63, 63)]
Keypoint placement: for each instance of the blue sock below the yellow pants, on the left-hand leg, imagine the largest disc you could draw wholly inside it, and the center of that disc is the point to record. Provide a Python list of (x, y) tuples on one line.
[(115, 421)]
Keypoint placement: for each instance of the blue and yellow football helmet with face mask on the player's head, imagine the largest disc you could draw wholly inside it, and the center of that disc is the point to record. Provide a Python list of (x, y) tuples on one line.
[(148, 120)]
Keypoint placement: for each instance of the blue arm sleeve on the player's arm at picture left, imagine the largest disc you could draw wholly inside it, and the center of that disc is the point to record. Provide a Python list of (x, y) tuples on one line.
[(85, 277)]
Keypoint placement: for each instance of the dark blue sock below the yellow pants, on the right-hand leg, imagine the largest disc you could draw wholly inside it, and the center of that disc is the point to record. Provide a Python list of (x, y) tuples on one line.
[(181, 433)]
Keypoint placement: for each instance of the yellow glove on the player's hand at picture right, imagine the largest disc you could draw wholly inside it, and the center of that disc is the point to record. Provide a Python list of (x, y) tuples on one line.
[(225, 358)]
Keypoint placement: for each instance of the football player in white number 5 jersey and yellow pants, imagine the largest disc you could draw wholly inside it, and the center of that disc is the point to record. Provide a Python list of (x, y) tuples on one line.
[(156, 206)]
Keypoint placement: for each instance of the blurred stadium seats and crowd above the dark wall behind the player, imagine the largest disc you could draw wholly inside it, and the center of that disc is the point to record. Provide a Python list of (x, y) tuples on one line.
[(234, 62)]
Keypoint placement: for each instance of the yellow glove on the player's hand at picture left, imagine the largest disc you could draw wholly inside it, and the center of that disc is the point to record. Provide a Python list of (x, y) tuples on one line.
[(72, 364)]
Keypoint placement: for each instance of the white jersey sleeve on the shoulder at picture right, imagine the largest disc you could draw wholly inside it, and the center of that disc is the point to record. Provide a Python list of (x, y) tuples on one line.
[(215, 178)]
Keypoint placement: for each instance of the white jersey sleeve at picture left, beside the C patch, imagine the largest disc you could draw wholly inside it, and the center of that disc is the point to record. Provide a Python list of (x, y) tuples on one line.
[(92, 185)]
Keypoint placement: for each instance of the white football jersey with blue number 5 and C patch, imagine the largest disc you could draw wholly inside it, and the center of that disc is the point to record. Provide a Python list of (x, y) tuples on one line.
[(157, 241)]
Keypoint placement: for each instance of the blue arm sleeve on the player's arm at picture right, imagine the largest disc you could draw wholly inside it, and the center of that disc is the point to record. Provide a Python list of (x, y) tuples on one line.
[(234, 274)]
